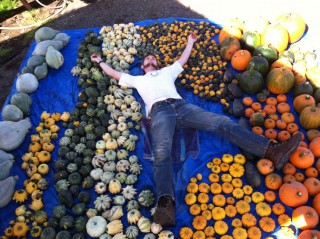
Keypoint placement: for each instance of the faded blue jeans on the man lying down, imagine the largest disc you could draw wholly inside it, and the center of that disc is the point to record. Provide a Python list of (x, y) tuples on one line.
[(166, 116)]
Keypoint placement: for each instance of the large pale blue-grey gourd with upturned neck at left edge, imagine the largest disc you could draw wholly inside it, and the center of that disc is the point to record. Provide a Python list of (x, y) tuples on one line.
[(12, 134)]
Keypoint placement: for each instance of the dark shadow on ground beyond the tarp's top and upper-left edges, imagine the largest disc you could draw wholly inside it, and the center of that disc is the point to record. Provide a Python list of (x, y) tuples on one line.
[(95, 14)]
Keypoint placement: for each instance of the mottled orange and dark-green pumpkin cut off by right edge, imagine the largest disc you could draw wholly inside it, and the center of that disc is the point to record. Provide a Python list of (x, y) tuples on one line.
[(310, 117)]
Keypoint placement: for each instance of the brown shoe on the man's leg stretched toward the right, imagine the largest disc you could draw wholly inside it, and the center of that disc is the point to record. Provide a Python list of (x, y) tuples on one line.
[(279, 153)]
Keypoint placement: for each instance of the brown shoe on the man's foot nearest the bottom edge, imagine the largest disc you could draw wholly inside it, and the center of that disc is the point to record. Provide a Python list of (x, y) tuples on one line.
[(165, 212)]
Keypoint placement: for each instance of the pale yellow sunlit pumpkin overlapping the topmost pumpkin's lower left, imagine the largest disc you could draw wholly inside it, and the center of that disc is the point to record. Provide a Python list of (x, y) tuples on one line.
[(276, 35)]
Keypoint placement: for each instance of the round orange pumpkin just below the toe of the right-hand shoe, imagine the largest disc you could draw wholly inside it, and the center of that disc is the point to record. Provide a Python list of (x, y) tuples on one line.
[(302, 158)]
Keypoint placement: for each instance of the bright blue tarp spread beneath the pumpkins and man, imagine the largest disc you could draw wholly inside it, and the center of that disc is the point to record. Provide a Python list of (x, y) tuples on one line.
[(58, 93)]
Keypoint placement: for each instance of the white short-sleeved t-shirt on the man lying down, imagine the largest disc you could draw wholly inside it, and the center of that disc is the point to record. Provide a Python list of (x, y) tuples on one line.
[(156, 85)]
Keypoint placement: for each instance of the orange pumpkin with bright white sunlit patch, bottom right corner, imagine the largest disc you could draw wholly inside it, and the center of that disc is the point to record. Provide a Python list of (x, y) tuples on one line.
[(305, 217)]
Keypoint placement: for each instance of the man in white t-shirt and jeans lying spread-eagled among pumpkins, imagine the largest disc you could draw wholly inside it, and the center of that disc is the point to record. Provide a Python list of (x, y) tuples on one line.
[(168, 110)]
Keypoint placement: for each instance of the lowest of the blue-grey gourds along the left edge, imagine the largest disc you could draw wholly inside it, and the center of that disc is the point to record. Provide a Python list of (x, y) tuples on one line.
[(7, 189)]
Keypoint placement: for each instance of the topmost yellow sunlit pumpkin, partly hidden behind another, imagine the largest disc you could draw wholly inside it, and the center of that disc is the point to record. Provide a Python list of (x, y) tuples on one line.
[(294, 24)]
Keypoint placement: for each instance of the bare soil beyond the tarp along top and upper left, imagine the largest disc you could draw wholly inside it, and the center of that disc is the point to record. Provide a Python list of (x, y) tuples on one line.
[(76, 15)]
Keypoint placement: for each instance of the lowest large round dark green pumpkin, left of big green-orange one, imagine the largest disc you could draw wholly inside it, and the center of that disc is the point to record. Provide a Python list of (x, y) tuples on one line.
[(251, 81)]
